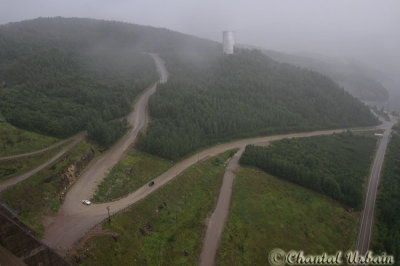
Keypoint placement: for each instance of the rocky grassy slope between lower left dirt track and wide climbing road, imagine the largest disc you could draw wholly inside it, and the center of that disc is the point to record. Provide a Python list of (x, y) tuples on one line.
[(42, 193)]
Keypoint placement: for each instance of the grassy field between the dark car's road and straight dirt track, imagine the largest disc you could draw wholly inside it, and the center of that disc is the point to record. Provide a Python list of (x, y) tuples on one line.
[(167, 227)]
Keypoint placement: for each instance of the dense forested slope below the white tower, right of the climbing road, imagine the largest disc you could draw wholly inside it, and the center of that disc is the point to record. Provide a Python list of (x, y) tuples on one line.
[(216, 98)]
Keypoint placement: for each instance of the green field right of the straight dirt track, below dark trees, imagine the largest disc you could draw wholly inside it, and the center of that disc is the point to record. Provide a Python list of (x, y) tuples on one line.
[(268, 213)]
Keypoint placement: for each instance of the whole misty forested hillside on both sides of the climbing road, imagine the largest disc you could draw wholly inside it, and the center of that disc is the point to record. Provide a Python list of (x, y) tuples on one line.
[(63, 75)]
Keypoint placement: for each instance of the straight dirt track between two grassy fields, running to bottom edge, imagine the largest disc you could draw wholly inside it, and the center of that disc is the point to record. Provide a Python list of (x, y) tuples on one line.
[(218, 219)]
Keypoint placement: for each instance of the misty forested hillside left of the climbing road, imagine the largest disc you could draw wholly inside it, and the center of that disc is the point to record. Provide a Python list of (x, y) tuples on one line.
[(59, 83)]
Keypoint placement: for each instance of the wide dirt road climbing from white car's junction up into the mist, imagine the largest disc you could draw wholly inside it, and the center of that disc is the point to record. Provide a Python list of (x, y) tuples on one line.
[(63, 229)]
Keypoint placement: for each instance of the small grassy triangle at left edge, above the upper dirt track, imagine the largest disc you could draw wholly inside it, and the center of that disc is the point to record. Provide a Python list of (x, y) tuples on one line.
[(15, 141)]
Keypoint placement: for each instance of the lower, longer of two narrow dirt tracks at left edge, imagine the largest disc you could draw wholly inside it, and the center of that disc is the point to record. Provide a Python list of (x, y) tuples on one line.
[(14, 180)]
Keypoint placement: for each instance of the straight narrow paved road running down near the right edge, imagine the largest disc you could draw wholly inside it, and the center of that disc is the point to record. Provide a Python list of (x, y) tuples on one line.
[(367, 219)]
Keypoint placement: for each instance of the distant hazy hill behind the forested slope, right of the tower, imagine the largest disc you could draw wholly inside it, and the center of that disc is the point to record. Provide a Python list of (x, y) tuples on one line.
[(352, 76)]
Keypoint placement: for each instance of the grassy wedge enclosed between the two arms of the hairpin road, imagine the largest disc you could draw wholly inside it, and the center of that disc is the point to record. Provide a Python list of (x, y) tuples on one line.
[(134, 171)]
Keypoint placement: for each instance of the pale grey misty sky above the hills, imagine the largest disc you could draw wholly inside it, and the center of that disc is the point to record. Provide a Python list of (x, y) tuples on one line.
[(365, 30)]
